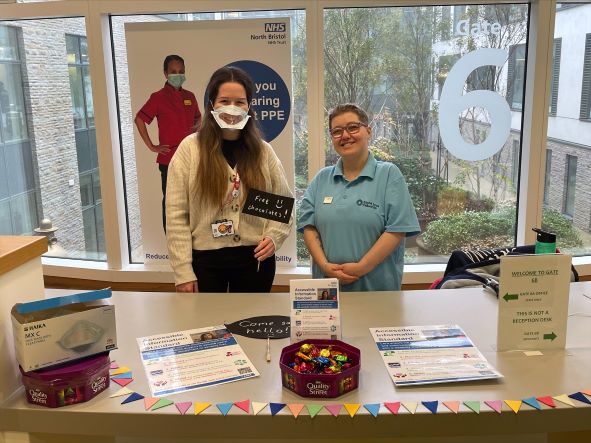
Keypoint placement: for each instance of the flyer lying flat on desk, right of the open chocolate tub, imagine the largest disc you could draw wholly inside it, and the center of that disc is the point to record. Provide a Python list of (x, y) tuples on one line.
[(416, 355)]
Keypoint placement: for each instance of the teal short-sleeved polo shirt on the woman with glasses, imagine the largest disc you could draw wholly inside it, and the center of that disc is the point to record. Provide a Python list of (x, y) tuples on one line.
[(351, 215)]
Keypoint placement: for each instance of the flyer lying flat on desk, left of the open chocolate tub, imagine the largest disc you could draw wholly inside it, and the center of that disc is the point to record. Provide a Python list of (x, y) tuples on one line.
[(186, 360)]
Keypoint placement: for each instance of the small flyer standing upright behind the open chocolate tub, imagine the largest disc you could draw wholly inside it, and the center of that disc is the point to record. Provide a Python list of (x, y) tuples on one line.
[(315, 311)]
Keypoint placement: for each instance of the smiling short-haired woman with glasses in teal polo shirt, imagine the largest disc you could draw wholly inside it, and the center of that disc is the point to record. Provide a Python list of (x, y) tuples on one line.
[(356, 214)]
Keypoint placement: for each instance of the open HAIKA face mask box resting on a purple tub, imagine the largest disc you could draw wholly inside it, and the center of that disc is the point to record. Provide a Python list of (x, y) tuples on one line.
[(61, 329)]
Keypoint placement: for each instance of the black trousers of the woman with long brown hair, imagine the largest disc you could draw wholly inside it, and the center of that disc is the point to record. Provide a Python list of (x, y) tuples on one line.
[(232, 269)]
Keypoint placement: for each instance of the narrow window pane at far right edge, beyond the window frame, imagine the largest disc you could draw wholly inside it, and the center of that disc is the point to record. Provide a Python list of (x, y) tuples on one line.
[(567, 210)]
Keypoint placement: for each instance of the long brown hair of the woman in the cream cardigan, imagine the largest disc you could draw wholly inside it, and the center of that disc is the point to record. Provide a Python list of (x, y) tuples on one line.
[(212, 178)]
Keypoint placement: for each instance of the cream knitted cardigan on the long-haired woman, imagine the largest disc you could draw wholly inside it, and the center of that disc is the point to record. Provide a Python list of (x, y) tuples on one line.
[(188, 219)]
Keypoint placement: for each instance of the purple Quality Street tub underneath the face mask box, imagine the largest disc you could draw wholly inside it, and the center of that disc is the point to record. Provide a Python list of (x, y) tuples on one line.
[(68, 383)]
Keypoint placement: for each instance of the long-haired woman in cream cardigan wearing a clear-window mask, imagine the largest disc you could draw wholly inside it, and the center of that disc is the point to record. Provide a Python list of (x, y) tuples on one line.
[(213, 246)]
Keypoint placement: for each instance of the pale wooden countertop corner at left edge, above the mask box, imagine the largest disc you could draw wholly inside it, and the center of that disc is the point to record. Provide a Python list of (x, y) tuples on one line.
[(17, 250)]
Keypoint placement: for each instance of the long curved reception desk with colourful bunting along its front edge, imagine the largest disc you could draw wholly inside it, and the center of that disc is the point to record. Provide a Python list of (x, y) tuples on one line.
[(141, 314)]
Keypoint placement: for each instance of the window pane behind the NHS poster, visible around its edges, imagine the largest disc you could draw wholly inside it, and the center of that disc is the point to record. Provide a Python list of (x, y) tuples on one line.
[(299, 91)]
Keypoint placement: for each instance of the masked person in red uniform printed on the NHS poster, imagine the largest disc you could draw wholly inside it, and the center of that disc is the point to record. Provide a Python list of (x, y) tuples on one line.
[(178, 115)]
